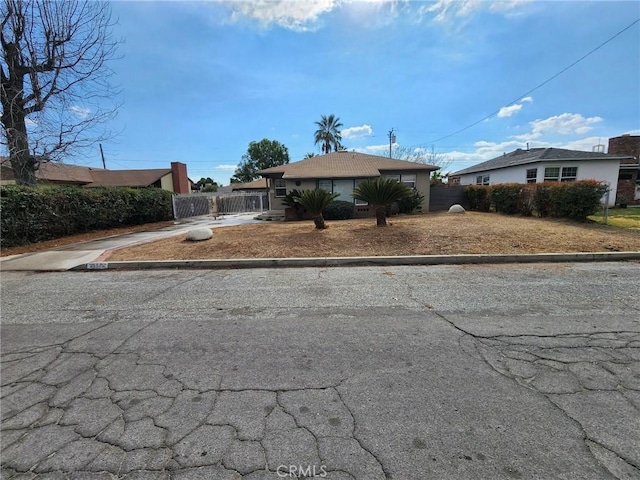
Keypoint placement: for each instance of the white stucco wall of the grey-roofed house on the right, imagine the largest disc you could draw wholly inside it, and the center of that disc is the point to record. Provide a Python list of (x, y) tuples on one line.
[(603, 171)]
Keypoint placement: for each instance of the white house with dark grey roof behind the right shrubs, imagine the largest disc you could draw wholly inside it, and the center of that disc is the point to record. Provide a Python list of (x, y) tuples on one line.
[(539, 165)]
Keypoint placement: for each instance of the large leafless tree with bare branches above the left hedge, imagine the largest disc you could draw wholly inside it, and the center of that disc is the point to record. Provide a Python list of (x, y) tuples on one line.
[(55, 79)]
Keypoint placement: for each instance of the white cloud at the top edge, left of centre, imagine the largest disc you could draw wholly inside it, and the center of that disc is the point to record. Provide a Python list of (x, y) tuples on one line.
[(285, 13)]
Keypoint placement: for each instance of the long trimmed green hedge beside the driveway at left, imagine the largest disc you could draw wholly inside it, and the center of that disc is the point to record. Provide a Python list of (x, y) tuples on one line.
[(31, 215)]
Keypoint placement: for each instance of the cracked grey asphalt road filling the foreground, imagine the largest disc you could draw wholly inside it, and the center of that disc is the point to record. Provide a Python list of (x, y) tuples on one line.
[(443, 372)]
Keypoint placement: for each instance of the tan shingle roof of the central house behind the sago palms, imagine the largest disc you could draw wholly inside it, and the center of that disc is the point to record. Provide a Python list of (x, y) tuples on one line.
[(344, 164)]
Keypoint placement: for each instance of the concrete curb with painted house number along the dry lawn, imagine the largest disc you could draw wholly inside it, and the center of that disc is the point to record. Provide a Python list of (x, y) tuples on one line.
[(361, 261)]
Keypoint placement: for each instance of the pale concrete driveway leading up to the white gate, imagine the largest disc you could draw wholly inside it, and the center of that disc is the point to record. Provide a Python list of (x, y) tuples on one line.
[(70, 256)]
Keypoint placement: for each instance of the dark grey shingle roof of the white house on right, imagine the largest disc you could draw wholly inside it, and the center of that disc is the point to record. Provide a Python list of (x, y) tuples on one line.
[(523, 157)]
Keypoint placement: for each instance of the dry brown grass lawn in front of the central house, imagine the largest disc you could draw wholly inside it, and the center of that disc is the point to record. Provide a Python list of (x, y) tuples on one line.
[(429, 234)]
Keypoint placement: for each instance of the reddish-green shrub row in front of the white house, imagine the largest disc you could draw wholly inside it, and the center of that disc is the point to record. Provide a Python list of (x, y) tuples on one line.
[(573, 200)]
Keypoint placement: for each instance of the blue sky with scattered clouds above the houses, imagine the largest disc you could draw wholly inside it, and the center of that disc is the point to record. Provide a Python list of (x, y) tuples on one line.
[(200, 80)]
